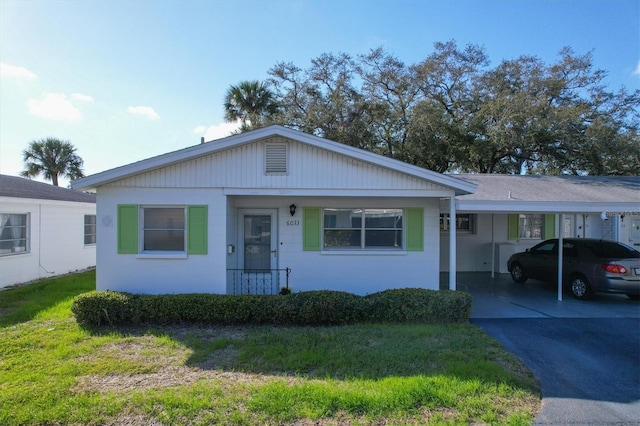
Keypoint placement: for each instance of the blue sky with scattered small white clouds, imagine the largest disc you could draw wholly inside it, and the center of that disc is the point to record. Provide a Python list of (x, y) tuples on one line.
[(125, 80)]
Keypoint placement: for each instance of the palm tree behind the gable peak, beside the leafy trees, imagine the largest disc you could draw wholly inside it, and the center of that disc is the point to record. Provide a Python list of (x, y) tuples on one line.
[(251, 102)]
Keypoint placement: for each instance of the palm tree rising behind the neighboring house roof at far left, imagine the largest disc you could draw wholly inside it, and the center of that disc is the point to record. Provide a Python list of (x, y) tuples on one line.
[(51, 157)]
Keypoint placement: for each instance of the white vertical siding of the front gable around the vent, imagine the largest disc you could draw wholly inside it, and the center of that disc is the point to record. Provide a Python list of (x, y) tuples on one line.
[(309, 167)]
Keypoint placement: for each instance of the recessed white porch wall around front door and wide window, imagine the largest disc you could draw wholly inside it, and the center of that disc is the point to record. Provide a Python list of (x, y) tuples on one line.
[(357, 272)]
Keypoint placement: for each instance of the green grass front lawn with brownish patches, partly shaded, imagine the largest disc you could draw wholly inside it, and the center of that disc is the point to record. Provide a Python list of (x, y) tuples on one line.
[(54, 372)]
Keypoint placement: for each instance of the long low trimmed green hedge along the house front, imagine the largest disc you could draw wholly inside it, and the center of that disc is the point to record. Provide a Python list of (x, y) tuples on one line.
[(305, 308)]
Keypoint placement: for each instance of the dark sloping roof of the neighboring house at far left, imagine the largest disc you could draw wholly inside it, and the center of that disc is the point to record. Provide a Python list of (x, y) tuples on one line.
[(17, 187)]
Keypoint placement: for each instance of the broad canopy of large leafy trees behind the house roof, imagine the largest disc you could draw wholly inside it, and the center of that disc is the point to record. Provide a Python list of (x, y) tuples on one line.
[(453, 112)]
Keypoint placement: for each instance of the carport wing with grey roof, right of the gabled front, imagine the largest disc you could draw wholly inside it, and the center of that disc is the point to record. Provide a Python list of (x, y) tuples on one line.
[(510, 213)]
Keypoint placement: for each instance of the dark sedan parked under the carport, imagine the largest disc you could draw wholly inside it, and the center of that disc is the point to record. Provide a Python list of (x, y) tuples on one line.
[(589, 266)]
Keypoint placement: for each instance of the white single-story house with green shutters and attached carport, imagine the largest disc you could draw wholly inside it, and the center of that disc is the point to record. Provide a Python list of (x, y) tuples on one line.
[(254, 212)]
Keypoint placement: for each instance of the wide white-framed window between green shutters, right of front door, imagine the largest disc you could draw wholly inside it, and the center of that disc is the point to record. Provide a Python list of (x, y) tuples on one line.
[(362, 229)]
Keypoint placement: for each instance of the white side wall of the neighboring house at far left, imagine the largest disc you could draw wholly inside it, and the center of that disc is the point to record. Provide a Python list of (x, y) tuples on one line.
[(56, 240)]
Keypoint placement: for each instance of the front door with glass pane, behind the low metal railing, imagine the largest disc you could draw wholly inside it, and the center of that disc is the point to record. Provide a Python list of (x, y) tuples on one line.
[(258, 254)]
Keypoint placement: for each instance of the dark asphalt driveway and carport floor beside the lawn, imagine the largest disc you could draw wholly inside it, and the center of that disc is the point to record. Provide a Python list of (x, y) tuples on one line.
[(585, 354)]
